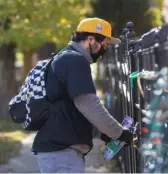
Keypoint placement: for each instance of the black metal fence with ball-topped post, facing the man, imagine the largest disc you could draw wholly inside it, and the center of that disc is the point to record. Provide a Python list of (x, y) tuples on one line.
[(131, 70)]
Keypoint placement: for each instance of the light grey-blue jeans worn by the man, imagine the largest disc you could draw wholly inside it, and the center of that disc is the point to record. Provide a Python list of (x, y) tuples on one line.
[(65, 161)]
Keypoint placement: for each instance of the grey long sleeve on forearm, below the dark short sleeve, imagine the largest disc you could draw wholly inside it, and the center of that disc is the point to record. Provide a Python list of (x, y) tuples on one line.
[(91, 108)]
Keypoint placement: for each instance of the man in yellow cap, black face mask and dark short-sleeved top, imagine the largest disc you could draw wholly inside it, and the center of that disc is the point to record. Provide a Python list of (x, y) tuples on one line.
[(77, 116)]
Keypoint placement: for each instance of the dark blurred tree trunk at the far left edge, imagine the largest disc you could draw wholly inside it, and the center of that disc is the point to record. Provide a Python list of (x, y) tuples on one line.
[(7, 76)]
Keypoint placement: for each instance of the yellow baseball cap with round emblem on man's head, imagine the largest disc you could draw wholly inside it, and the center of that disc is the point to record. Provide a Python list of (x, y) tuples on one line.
[(99, 26)]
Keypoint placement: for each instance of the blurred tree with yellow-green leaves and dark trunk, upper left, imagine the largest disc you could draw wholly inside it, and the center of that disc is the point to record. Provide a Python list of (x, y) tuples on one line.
[(25, 25)]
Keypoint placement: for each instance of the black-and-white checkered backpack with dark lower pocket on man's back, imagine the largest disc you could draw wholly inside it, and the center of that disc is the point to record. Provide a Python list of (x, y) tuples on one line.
[(30, 107)]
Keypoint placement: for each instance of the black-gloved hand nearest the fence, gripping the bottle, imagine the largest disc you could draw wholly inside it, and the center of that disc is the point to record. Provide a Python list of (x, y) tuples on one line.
[(126, 136)]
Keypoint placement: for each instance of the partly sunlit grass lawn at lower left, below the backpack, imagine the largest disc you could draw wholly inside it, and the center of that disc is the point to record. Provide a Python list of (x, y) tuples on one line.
[(11, 135)]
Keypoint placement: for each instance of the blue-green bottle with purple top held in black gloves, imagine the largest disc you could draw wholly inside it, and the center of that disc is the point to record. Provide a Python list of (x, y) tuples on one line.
[(114, 146)]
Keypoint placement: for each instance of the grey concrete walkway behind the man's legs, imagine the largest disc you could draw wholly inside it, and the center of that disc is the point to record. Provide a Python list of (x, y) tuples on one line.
[(27, 163)]
